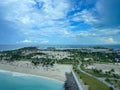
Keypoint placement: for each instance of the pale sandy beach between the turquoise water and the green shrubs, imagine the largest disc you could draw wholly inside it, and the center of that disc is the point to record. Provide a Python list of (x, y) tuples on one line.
[(56, 72)]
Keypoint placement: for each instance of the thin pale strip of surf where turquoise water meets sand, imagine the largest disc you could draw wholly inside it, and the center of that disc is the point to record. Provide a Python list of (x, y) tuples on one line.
[(31, 75)]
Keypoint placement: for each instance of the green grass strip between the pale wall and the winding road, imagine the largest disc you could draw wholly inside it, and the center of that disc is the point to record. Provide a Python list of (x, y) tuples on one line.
[(93, 83)]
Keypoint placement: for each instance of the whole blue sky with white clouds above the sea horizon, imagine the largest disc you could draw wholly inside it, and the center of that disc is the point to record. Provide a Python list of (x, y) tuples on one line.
[(62, 22)]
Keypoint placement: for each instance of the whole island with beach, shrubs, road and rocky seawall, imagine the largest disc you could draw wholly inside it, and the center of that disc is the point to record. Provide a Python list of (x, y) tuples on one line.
[(78, 68)]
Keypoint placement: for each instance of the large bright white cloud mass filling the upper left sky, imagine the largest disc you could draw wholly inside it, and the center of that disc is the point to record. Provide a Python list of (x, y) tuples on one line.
[(33, 20)]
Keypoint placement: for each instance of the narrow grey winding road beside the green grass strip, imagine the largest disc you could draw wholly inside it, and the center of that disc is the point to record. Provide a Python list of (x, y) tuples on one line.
[(100, 79)]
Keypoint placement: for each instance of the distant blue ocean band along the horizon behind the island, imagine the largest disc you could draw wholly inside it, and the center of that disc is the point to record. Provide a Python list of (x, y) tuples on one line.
[(12, 47)]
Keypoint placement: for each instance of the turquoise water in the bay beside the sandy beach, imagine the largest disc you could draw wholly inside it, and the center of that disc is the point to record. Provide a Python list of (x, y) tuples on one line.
[(13, 81)]
